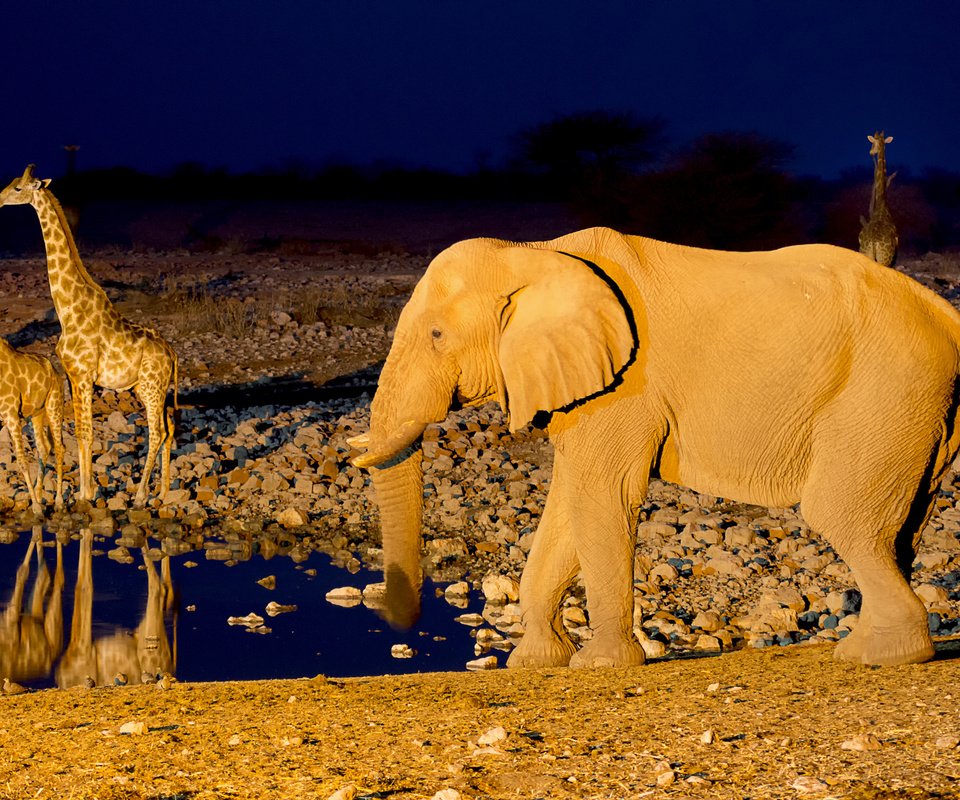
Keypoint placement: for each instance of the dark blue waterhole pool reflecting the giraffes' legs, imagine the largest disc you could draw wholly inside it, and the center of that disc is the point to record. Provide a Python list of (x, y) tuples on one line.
[(95, 616)]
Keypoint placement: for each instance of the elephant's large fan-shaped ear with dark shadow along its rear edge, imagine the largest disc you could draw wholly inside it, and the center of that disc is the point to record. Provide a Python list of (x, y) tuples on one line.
[(564, 333)]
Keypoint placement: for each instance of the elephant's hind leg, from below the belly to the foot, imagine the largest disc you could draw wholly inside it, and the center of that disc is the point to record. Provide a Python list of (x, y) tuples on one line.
[(873, 520)]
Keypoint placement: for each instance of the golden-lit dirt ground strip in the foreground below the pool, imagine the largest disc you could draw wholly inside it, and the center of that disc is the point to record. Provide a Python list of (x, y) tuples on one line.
[(786, 722)]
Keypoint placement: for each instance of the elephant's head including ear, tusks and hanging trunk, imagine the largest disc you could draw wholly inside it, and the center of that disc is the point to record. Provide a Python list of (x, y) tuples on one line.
[(534, 328)]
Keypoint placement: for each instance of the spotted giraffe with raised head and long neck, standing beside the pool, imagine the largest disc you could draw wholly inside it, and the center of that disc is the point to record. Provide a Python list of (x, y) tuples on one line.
[(97, 345)]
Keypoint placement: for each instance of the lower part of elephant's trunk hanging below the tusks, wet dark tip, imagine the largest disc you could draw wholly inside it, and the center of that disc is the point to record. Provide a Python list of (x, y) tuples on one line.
[(399, 489)]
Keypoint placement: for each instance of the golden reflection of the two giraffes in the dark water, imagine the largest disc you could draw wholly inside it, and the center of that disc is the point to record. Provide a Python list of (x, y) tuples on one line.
[(32, 640)]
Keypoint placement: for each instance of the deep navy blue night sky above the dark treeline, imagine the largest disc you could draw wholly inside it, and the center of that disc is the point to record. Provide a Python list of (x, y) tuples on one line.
[(248, 84)]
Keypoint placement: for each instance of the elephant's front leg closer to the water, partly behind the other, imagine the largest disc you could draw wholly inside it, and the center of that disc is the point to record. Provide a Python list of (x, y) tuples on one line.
[(551, 567)]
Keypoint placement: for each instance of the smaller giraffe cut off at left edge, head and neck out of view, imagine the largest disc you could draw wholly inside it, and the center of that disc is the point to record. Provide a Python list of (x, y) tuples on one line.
[(30, 388)]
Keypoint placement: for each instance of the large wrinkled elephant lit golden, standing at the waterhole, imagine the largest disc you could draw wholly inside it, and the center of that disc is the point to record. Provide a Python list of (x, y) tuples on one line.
[(805, 375)]
